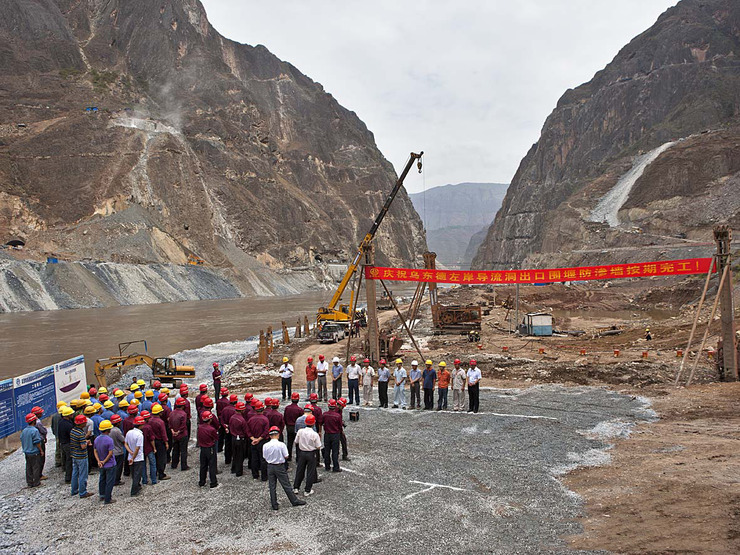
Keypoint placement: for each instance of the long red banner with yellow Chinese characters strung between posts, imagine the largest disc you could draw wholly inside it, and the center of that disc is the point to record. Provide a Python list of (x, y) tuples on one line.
[(550, 275)]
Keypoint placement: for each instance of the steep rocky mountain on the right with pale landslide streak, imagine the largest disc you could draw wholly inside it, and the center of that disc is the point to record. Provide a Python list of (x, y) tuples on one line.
[(646, 153)]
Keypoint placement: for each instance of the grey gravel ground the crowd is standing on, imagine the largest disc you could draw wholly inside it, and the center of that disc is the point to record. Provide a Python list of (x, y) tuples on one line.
[(418, 482)]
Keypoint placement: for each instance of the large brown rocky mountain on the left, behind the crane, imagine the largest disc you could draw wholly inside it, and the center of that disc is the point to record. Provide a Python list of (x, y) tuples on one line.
[(132, 132)]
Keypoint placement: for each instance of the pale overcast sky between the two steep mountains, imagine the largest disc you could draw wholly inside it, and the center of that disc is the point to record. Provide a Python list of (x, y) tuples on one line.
[(470, 82)]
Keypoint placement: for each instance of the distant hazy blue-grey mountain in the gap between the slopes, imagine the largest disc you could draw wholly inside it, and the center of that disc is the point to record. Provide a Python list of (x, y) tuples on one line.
[(454, 214)]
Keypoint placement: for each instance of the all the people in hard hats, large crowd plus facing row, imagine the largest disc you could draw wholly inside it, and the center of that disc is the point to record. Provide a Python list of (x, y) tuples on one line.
[(142, 433)]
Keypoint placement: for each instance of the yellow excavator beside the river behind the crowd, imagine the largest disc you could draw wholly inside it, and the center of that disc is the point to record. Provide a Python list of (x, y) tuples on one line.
[(164, 369)]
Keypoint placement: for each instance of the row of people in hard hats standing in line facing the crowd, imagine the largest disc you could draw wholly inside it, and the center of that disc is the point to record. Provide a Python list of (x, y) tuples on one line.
[(366, 376)]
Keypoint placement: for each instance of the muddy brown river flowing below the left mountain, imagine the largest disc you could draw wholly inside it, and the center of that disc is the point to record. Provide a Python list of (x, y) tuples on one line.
[(33, 340)]
